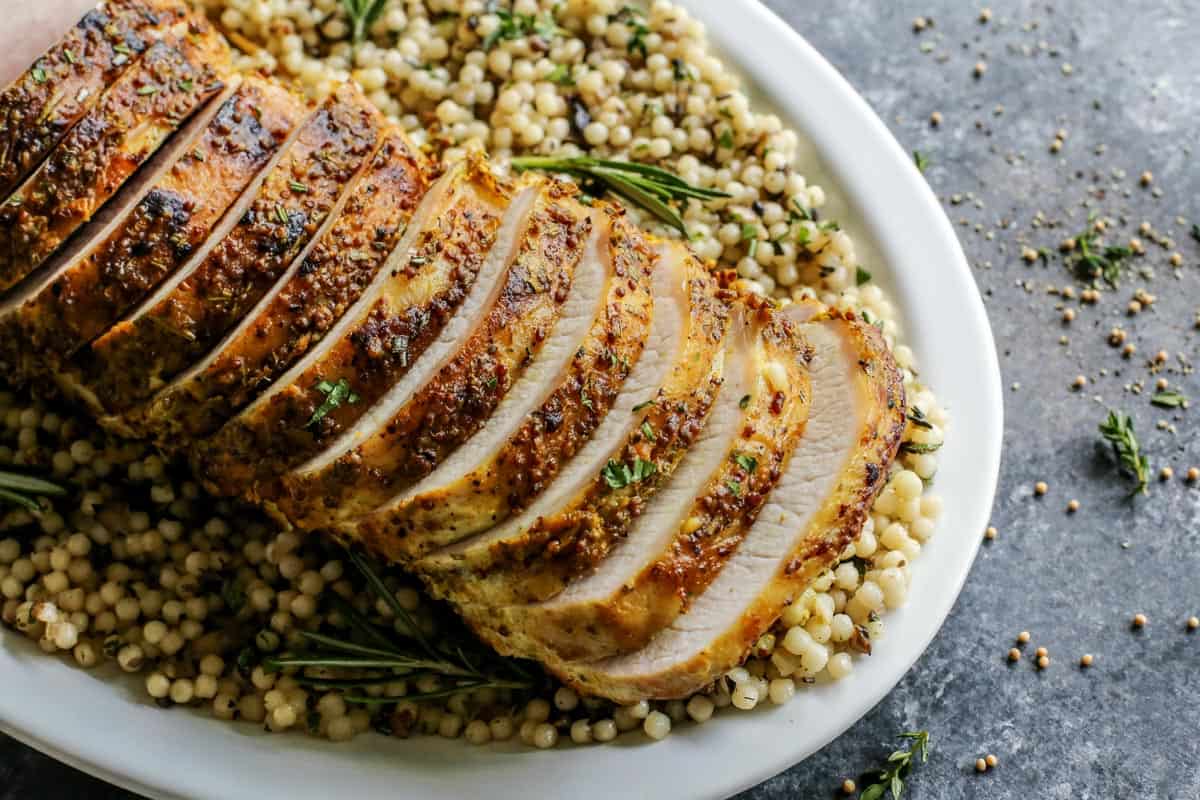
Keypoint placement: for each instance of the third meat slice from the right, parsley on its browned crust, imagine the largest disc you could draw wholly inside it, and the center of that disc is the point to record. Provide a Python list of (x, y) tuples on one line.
[(587, 509)]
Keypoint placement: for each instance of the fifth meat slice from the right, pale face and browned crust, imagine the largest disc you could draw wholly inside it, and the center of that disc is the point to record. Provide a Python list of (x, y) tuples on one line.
[(502, 329)]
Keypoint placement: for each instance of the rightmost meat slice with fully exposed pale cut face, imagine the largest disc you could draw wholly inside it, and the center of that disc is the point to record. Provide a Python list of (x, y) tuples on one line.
[(856, 422)]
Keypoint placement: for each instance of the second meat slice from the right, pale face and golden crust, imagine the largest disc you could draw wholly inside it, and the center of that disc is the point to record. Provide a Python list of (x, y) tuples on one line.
[(694, 525)]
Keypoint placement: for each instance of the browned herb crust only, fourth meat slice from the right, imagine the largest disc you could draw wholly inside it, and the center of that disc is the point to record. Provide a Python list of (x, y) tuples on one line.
[(526, 465)]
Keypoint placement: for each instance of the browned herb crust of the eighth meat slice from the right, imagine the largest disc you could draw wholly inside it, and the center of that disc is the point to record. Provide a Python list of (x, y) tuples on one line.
[(137, 357)]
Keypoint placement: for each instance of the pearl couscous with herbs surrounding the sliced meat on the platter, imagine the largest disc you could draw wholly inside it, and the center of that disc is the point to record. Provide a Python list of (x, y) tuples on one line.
[(137, 567)]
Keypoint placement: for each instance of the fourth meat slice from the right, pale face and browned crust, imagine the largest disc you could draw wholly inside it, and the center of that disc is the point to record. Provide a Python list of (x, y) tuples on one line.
[(548, 416)]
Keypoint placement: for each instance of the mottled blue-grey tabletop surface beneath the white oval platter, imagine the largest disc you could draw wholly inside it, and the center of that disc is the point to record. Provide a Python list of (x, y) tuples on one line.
[(1127, 727)]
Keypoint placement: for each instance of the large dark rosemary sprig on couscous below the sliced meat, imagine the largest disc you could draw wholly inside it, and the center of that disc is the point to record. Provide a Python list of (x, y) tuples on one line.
[(400, 653)]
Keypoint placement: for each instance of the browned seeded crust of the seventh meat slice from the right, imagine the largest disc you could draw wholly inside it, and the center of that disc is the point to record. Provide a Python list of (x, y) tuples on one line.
[(332, 278)]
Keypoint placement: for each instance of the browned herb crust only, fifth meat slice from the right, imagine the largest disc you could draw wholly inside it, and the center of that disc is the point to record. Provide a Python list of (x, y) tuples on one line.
[(460, 399)]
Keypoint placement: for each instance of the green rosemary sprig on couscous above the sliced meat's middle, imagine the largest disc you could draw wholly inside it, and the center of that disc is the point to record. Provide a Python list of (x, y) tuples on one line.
[(650, 188)]
